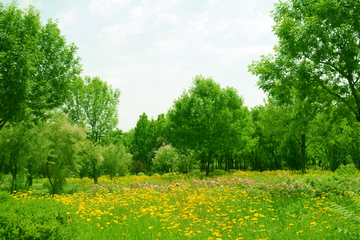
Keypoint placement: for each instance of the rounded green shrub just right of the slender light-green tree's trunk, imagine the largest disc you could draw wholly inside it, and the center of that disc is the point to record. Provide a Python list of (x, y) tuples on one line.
[(116, 160)]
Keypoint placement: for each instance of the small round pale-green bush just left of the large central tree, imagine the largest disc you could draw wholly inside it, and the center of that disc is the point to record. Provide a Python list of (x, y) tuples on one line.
[(166, 159)]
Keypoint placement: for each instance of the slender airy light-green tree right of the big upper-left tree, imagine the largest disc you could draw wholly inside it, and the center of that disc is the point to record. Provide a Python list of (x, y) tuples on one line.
[(93, 102)]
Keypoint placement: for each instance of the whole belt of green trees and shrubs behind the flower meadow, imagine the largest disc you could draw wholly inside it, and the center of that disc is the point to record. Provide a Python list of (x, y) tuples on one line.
[(56, 124)]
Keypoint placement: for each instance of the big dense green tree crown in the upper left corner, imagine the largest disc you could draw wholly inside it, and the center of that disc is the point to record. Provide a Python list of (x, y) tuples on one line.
[(36, 64)]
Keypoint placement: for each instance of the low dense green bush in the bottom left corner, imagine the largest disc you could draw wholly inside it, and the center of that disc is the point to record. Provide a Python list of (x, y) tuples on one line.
[(33, 219)]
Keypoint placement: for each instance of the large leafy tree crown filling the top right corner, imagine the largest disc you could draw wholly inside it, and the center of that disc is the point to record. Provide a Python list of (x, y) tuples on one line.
[(318, 52)]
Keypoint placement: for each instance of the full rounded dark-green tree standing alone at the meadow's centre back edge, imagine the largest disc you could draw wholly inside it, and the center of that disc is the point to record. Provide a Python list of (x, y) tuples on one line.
[(206, 116)]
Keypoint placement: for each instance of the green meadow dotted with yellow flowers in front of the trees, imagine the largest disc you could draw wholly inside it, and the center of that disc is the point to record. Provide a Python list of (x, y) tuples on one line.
[(238, 205)]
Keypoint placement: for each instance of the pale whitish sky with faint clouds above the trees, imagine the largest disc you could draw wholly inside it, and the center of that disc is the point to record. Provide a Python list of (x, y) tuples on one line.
[(152, 49)]
